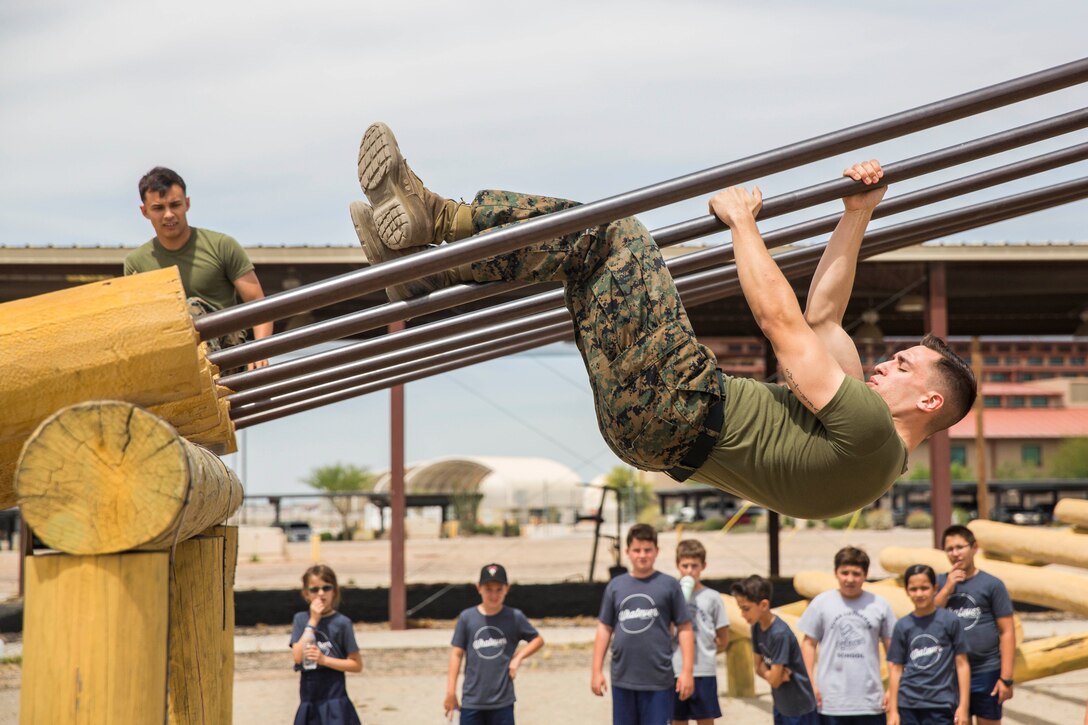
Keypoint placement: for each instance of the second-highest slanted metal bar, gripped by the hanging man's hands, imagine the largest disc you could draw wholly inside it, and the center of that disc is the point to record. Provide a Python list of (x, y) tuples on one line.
[(349, 325)]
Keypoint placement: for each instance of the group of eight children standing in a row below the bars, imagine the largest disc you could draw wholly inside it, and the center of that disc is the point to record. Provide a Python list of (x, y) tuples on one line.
[(949, 660)]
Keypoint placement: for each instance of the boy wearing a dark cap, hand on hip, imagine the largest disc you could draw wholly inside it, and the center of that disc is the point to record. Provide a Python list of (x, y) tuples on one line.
[(487, 637)]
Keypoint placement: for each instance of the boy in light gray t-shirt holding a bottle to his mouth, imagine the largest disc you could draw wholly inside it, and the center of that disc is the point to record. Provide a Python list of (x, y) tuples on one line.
[(711, 626)]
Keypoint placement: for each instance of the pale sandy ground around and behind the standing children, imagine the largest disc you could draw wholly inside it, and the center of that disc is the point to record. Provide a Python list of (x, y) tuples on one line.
[(404, 681)]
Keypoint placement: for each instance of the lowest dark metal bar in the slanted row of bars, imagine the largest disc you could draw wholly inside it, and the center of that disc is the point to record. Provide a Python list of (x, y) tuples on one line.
[(709, 287)]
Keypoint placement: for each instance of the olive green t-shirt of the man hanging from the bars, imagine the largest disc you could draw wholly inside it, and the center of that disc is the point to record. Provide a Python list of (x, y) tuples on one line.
[(777, 453)]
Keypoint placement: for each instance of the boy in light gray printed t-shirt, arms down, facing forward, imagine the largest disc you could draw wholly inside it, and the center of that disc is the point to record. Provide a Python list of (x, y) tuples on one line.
[(848, 624)]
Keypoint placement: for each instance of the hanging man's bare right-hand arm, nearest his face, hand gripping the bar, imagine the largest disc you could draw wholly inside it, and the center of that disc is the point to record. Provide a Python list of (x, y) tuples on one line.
[(834, 280)]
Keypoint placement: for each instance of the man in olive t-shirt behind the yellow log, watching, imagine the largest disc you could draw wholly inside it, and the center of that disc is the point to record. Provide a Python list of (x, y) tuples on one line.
[(216, 271)]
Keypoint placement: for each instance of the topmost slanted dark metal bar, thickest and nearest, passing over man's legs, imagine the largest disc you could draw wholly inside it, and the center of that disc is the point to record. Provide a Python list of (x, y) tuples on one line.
[(354, 285)]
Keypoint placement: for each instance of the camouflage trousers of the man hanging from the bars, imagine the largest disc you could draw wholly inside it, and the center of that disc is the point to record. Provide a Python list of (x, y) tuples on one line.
[(652, 382)]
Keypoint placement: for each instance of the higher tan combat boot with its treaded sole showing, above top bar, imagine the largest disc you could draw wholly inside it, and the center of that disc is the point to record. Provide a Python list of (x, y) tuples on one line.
[(406, 213)]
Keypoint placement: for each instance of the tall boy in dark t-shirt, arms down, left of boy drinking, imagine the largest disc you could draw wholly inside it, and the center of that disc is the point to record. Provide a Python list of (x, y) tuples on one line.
[(638, 612)]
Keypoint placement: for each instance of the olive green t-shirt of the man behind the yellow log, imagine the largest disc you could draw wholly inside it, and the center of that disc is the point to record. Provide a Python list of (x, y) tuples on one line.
[(209, 264)]
